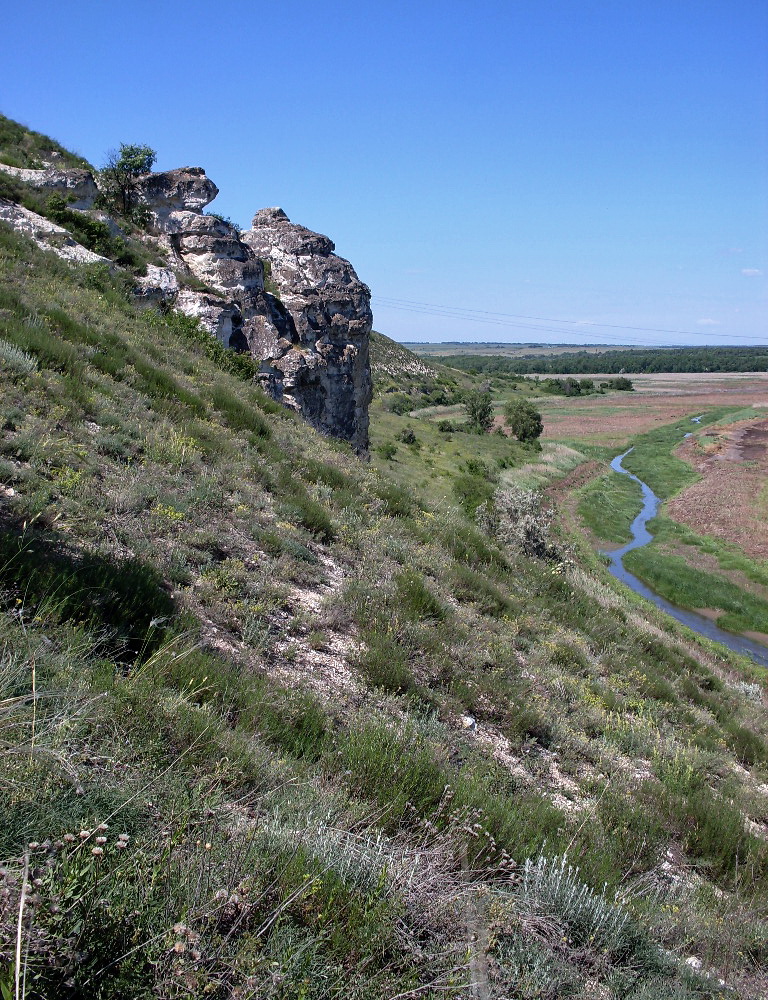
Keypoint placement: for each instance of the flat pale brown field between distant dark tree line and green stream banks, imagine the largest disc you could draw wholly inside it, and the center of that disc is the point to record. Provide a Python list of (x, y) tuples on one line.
[(659, 399)]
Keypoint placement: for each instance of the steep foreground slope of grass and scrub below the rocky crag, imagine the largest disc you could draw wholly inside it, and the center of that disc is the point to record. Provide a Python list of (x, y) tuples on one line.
[(273, 723)]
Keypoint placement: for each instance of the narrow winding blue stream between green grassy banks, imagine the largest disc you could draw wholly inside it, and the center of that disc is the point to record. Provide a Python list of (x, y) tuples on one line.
[(641, 536)]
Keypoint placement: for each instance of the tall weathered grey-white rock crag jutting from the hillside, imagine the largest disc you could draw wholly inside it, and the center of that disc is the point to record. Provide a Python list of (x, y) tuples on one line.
[(309, 331)]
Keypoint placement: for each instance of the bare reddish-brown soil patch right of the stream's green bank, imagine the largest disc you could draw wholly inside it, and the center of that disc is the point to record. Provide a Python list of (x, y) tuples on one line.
[(725, 502)]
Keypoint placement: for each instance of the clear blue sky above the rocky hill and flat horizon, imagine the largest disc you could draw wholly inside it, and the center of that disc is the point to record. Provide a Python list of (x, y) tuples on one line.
[(581, 161)]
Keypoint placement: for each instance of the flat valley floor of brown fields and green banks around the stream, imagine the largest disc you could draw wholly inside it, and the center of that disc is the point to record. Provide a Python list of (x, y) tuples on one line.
[(710, 548)]
